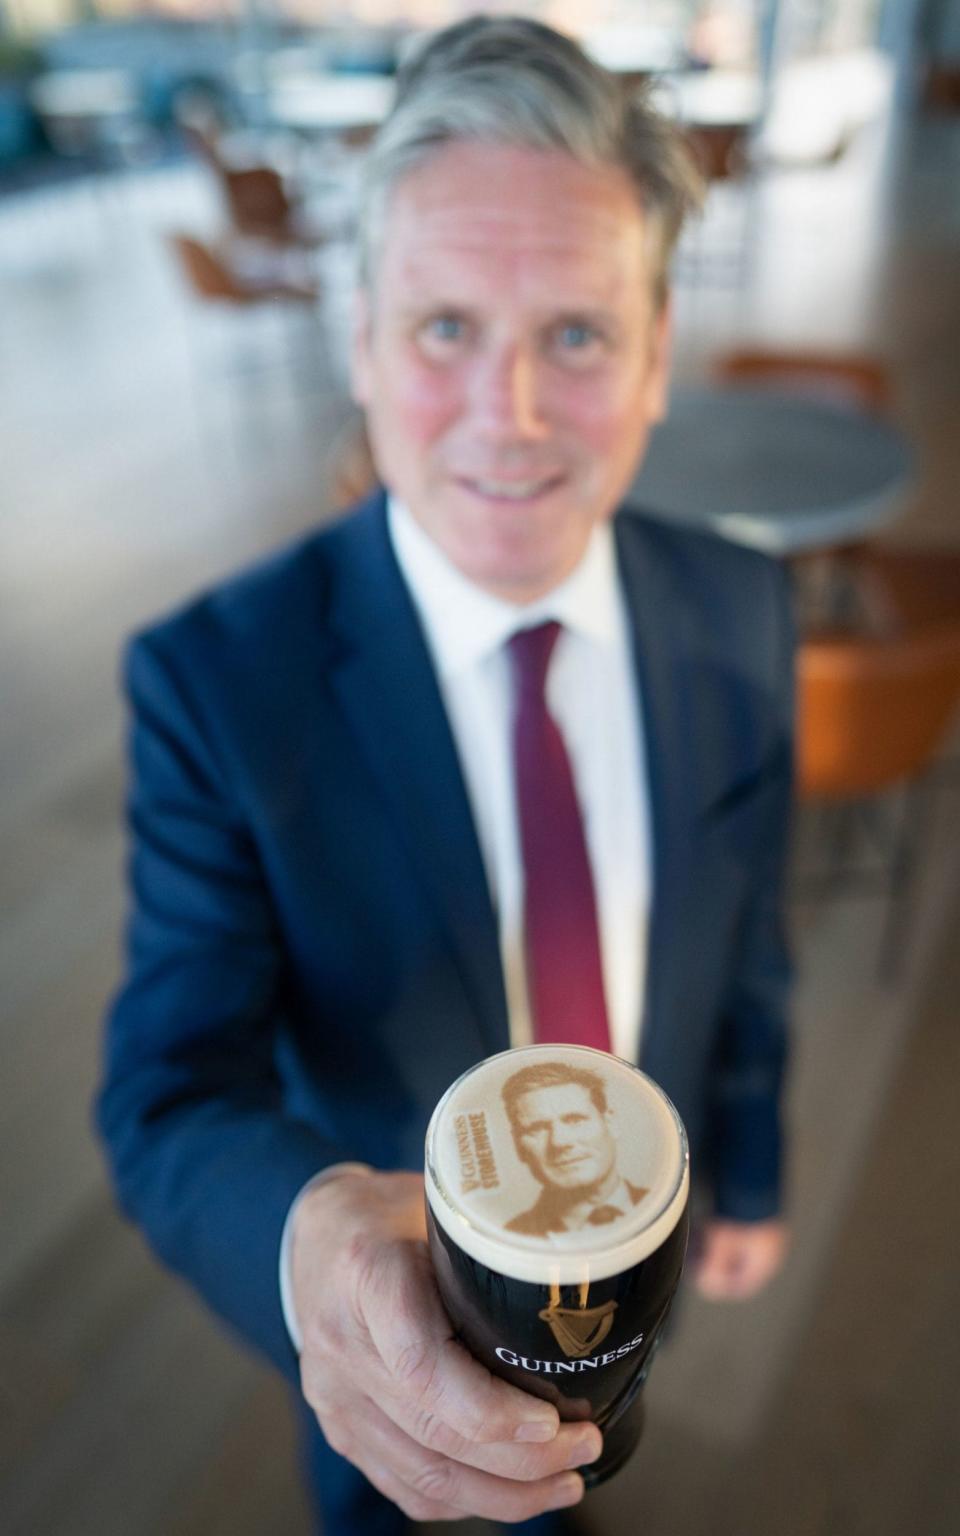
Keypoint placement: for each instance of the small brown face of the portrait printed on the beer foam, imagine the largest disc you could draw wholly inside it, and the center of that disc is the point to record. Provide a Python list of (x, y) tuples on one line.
[(564, 1137)]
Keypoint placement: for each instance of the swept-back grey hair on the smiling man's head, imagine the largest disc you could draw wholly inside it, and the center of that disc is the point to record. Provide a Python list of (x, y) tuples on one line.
[(509, 81)]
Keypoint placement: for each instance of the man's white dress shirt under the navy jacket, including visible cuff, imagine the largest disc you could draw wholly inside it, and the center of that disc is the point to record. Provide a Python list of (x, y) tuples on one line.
[(592, 694)]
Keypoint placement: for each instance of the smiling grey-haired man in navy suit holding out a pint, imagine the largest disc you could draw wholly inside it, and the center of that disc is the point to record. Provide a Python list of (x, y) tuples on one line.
[(342, 896)]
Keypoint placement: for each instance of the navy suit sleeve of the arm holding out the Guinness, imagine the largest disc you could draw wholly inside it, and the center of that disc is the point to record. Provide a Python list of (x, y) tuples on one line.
[(204, 1156)]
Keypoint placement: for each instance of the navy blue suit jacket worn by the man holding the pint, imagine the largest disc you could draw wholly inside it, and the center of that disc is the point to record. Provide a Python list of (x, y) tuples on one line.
[(313, 948)]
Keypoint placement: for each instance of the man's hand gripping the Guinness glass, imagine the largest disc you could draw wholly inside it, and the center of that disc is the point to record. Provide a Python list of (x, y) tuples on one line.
[(392, 1389)]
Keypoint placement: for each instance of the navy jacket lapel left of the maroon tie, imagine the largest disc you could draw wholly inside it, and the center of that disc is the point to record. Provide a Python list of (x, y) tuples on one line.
[(383, 678)]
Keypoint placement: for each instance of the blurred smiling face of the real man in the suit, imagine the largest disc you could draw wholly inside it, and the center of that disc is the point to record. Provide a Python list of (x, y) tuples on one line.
[(511, 359)]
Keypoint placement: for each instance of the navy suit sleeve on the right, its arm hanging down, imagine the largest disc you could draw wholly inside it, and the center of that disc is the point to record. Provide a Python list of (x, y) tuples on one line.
[(747, 1081)]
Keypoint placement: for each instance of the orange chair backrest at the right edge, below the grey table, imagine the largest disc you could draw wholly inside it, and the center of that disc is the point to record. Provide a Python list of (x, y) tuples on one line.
[(873, 712)]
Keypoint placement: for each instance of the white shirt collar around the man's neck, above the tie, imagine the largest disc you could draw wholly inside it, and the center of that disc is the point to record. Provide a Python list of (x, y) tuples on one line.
[(466, 624)]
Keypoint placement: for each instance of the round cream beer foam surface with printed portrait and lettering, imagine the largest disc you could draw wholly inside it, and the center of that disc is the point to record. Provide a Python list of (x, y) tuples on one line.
[(557, 1150)]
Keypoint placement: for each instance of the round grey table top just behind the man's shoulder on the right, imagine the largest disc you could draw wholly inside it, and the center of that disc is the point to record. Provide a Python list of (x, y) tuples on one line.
[(772, 469)]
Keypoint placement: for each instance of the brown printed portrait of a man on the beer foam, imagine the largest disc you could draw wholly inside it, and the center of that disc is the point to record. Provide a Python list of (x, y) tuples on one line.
[(563, 1131)]
